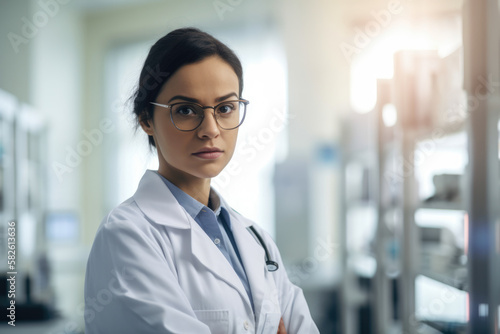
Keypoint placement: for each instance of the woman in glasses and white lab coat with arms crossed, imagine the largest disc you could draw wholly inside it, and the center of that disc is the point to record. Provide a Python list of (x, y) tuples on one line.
[(175, 258)]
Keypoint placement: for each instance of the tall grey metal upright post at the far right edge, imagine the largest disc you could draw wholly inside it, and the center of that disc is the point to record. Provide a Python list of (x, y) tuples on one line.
[(481, 62)]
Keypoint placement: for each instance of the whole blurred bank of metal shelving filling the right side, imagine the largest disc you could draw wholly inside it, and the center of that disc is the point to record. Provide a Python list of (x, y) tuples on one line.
[(434, 255)]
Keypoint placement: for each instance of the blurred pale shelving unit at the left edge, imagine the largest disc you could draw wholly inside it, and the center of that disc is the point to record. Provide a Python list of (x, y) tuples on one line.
[(23, 176)]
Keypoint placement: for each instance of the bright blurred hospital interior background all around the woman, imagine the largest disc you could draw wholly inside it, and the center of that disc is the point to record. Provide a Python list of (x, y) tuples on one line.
[(369, 152)]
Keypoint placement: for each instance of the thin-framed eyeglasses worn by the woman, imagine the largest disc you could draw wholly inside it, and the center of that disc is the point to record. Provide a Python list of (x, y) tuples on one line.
[(188, 116)]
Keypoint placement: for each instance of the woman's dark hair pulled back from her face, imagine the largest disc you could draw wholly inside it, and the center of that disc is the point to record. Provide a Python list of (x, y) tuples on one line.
[(178, 48)]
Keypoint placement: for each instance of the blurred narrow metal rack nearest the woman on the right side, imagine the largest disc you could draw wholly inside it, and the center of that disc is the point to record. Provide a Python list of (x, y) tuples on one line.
[(371, 212)]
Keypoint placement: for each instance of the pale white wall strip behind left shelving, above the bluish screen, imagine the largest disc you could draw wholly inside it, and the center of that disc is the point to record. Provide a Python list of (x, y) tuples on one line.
[(56, 80)]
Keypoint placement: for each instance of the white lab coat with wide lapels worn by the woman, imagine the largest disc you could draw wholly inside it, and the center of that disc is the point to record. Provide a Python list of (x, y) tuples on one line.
[(152, 269)]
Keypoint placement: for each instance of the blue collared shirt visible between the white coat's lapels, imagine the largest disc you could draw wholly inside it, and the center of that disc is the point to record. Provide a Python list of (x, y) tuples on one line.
[(216, 224)]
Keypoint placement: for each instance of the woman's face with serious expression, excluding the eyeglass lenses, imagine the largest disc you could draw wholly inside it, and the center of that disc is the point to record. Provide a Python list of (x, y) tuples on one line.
[(208, 82)]
